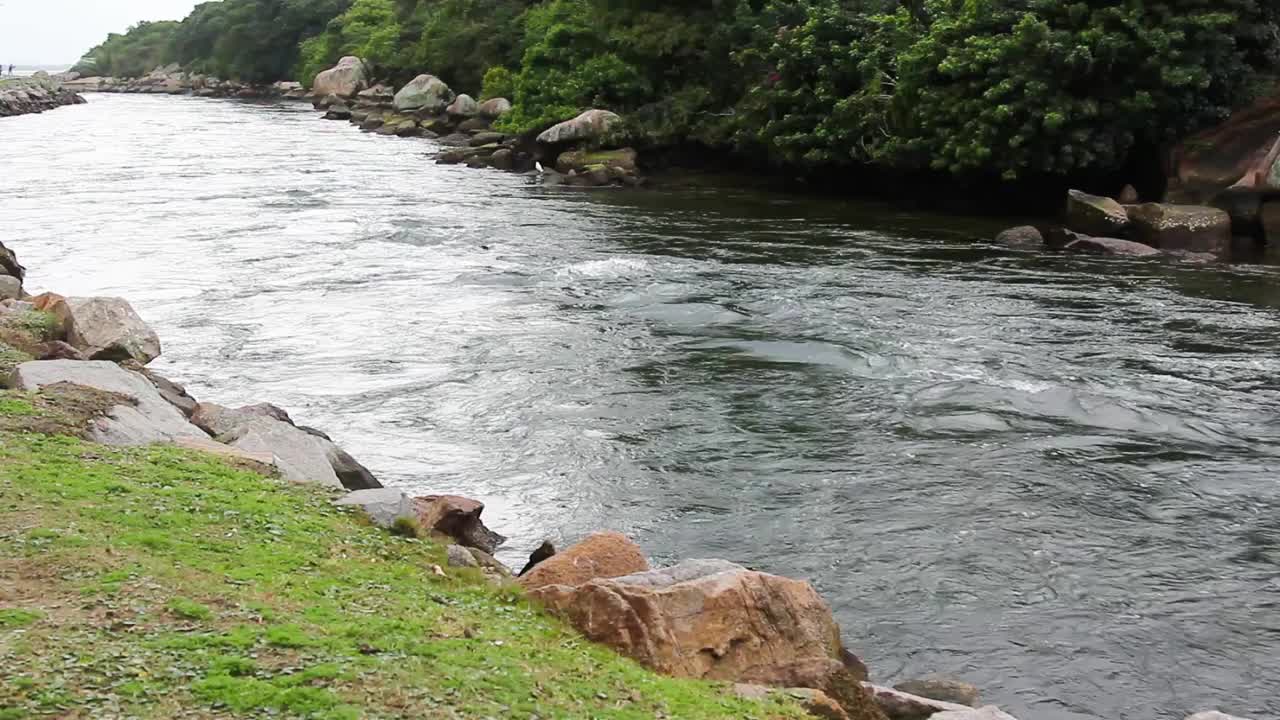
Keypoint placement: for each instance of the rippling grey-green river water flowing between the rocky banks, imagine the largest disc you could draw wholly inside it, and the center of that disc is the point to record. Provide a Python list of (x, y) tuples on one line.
[(1055, 477)]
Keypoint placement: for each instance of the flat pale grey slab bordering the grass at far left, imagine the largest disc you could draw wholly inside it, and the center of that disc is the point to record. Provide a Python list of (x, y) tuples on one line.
[(149, 420)]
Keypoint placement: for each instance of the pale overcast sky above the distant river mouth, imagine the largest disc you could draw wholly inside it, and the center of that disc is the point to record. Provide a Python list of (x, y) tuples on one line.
[(48, 33)]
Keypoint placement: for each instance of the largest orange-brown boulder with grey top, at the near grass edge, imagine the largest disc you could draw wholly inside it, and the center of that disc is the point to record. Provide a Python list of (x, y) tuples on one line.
[(707, 619)]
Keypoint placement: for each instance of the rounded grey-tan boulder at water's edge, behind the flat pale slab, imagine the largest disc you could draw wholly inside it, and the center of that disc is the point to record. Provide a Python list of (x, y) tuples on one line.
[(107, 329)]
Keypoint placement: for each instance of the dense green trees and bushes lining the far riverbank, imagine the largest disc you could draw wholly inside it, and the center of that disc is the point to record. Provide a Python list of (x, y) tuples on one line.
[(1004, 89)]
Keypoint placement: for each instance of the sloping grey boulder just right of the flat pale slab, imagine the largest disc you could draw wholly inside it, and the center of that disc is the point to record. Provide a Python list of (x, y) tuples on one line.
[(300, 457)]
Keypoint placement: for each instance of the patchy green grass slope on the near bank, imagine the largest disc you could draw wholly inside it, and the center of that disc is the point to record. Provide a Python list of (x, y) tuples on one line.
[(162, 584)]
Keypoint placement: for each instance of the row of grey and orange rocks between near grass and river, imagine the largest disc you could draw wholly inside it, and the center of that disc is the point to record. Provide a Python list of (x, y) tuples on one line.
[(700, 619)]
